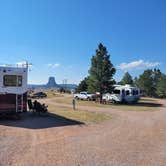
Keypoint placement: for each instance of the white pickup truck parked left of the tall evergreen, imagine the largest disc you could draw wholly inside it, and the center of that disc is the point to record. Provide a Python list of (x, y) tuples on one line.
[(84, 96)]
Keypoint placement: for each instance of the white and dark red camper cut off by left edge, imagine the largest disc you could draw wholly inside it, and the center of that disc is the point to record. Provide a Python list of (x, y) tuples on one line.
[(13, 89)]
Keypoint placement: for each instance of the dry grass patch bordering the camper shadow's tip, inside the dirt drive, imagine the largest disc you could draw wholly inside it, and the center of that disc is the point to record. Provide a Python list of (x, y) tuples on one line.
[(80, 115)]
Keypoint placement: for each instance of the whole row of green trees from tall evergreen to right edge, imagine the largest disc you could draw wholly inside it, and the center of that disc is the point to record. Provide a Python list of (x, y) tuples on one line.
[(101, 72)]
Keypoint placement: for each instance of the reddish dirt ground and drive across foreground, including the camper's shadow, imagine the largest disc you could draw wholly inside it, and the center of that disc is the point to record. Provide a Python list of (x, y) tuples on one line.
[(131, 138)]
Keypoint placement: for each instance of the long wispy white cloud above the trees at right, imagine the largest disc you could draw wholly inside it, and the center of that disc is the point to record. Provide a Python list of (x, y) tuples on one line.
[(140, 64)]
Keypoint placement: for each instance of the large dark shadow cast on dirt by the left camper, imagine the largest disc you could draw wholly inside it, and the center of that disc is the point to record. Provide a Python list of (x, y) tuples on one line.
[(31, 121)]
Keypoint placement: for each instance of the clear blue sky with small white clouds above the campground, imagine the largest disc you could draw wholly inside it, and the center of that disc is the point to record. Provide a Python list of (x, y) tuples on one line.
[(59, 37)]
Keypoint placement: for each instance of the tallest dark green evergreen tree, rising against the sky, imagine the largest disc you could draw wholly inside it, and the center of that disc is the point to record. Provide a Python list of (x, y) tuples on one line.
[(101, 71)]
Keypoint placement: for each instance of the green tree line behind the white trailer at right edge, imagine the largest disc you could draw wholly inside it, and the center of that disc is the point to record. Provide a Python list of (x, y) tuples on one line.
[(151, 82)]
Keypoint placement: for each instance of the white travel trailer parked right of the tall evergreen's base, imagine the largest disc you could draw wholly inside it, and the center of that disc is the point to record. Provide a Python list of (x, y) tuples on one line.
[(123, 94)]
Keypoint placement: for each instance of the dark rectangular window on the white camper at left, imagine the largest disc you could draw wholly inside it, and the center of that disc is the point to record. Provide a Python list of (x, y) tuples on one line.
[(12, 80)]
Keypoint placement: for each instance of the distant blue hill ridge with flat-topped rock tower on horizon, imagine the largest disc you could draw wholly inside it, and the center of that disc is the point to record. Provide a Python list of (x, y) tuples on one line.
[(52, 84)]
